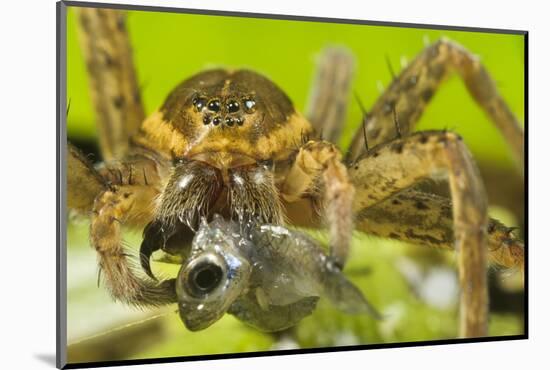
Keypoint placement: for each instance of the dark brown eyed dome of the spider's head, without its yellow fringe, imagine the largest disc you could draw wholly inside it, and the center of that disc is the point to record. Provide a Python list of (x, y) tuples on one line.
[(219, 99)]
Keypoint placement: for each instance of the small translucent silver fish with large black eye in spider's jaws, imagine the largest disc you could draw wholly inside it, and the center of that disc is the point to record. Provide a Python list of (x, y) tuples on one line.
[(267, 276)]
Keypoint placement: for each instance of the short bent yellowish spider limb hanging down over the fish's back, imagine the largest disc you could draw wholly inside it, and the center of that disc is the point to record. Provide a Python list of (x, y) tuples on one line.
[(318, 172)]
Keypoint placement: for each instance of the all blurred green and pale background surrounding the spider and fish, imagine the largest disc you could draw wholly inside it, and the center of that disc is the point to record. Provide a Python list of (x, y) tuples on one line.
[(171, 47)]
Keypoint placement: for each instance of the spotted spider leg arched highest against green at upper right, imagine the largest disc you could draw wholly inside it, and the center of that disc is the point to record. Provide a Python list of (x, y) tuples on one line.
[(412, 90)]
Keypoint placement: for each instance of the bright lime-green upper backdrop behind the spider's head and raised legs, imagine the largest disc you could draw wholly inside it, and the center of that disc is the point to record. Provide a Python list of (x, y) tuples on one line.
[(171, 47)]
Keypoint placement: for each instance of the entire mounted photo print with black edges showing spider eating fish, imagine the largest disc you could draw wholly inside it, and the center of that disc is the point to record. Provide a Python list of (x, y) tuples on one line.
[(237, 184)]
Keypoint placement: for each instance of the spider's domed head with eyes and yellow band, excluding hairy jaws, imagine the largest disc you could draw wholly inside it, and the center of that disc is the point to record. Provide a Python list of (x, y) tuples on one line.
[(237, 113)]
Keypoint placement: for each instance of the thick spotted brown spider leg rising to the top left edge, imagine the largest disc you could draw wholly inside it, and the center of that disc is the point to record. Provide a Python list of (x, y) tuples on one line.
[(113, 83)]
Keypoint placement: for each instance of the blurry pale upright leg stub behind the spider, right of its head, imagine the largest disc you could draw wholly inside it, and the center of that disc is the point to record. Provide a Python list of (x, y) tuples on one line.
[(330, 91)]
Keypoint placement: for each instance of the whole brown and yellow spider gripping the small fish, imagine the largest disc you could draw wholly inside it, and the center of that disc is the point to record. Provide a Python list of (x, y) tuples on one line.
[(231, 142)]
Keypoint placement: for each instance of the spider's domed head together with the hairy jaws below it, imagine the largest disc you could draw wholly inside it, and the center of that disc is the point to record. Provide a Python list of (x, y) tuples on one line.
[(217, 165)]
